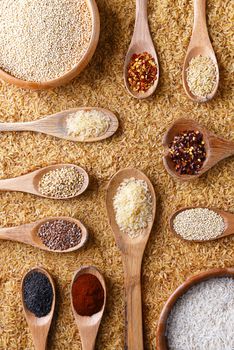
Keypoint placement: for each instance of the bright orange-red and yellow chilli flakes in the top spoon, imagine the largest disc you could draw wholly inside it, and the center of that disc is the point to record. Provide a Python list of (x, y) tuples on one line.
[(142, 72)]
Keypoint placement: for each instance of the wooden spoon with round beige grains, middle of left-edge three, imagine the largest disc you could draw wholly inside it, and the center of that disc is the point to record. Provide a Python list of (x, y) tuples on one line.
[(61, 181)]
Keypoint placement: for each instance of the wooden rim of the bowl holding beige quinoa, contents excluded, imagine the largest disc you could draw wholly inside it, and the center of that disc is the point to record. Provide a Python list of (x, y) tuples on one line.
[(64, 79)]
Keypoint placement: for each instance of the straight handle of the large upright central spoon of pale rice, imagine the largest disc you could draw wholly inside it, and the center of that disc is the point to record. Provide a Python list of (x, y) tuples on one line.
[(133, 304)]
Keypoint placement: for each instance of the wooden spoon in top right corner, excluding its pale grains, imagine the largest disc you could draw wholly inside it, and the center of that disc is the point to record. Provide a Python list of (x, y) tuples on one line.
[(199, 45)]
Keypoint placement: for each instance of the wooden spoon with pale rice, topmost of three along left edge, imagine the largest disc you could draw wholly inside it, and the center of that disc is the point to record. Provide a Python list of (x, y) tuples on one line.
[(84, 124)]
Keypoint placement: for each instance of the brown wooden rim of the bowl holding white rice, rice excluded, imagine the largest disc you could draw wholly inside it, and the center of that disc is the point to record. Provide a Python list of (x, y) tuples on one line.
[(161, 339)]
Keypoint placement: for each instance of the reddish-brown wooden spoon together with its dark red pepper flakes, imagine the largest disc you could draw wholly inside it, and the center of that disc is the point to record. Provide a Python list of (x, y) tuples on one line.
[(191, 150)]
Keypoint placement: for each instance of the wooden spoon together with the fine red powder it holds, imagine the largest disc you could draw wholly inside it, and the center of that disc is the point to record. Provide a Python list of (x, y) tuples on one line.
[(88, 300)]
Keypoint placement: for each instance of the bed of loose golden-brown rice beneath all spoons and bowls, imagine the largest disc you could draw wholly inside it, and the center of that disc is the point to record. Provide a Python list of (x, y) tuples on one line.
[(167, 261)]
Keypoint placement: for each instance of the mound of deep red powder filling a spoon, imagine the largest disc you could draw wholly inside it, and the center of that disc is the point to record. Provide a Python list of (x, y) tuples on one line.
[(87, 295)]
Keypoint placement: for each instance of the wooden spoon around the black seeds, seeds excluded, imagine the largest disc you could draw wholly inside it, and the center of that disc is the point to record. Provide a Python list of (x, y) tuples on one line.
[(39, 327)]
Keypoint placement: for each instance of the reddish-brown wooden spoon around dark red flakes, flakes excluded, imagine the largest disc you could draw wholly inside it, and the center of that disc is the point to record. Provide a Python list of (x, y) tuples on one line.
[(217, 148)]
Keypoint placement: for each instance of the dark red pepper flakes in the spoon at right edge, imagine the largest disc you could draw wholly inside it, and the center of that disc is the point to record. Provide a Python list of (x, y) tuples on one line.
[(188, 152)]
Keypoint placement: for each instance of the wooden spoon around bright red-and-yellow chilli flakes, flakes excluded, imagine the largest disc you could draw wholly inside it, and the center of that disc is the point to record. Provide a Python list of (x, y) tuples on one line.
[(141, 42)]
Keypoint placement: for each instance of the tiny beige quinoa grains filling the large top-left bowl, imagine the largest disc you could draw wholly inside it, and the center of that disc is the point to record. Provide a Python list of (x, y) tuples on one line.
[(42, 40)]
